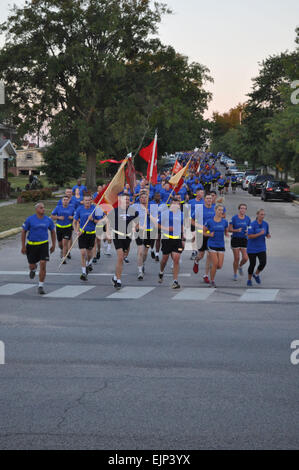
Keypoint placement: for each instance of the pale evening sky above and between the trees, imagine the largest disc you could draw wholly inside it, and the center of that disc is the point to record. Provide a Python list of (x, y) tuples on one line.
[(230, 37)]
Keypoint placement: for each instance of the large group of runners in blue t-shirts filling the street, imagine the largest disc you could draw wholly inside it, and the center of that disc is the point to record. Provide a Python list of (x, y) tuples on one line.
[(157, 219)]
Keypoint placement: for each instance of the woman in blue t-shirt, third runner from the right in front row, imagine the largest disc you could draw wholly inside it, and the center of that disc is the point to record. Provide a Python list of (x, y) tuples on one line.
[(216, 228)]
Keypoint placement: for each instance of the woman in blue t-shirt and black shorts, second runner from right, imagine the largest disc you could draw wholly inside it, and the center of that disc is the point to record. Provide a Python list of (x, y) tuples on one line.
[(238, 226)]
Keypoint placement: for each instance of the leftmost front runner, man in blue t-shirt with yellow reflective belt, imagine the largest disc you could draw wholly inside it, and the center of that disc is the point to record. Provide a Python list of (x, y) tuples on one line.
[(36, 229)]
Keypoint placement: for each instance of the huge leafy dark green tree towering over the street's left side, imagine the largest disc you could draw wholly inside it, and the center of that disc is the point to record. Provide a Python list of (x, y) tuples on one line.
[(93, 79)]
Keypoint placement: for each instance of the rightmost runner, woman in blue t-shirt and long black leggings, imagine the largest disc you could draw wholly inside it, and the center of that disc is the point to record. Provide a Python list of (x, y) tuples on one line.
[(256, 248)]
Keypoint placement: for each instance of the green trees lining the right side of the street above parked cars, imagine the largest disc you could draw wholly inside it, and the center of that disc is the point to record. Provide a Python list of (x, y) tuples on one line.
[(265, 130)]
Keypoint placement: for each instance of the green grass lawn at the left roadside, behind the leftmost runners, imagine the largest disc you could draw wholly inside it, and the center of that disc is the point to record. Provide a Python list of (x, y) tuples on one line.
[(14, 215)]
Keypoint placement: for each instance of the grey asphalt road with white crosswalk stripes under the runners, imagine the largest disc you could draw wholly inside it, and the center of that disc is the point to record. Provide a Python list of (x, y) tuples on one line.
[(193, 369)]
